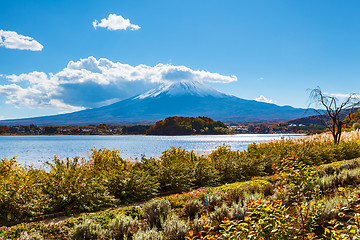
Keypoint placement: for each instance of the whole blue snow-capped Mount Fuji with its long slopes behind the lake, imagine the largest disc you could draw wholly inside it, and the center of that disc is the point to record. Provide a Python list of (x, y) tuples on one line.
[(182, 98)]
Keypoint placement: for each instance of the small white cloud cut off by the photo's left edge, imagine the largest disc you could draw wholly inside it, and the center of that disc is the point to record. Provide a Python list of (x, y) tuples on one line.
[(13, 40)]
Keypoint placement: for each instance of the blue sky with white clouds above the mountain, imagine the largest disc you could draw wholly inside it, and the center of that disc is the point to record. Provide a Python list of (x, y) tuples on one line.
[(274, 49)]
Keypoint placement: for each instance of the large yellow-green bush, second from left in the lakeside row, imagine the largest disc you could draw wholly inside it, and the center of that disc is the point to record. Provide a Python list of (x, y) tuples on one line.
[(71, 185)]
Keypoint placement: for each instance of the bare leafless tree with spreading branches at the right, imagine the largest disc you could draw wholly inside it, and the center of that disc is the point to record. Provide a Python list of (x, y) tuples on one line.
[(338, 112)]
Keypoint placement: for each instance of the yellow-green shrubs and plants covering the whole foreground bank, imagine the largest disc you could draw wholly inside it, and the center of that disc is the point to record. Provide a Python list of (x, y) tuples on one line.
[(275, 190)]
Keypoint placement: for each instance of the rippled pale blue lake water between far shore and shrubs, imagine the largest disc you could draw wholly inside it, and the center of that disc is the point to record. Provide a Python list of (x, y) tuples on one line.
[(37, 149)]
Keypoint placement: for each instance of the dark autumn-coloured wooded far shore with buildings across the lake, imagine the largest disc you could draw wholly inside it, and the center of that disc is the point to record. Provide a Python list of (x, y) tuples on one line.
[(180, 126)]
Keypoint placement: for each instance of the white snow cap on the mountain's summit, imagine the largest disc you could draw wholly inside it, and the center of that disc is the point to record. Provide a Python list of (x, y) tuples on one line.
[(193, 88)]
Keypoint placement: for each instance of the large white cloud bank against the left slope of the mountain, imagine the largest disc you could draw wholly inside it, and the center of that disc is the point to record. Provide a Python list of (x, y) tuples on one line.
[(91, 83)]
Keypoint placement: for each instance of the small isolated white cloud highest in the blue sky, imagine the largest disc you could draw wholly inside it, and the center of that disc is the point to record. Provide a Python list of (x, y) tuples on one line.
[(114, 22)]
